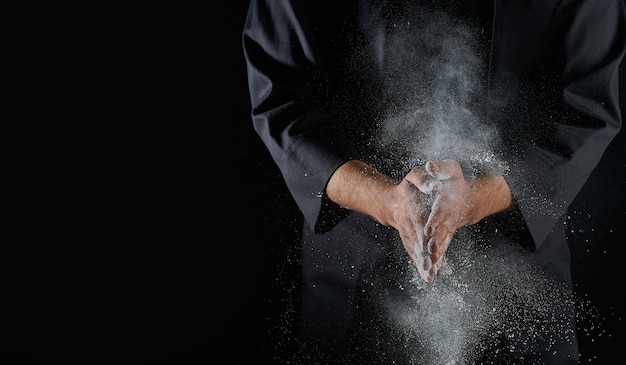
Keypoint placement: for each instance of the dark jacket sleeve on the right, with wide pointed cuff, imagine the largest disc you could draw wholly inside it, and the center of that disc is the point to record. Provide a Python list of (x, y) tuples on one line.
[(567, 107)]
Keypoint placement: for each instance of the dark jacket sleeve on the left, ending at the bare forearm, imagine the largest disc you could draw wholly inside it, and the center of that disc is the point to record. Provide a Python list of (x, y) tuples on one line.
[(289, 55)]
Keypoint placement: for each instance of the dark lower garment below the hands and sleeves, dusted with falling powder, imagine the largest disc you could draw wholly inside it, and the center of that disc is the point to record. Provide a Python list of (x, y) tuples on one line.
[(360, 297)]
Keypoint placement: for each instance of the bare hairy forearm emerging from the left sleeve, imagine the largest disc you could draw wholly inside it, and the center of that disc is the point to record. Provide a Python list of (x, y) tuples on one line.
[(360, 187)]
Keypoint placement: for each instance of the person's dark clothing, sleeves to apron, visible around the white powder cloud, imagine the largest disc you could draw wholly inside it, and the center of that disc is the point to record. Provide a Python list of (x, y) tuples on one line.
[(317, 71)]
